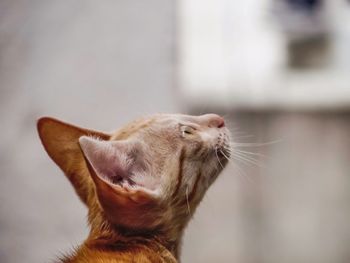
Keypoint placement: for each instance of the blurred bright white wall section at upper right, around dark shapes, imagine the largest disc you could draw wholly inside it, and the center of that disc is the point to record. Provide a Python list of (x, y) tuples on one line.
[(234, 54)]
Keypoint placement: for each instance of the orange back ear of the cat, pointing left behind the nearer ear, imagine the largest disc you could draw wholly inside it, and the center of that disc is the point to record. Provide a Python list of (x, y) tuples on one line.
[(61, 141)]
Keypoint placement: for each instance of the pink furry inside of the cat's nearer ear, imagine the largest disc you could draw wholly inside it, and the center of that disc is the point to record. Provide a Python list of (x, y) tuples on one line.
[(121, 164)]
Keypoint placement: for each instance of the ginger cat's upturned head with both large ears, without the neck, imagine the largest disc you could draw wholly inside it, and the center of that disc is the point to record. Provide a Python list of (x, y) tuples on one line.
[(151, 173)]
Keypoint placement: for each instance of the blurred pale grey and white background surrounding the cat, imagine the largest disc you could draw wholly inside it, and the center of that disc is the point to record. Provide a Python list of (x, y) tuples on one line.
[(278, 70)]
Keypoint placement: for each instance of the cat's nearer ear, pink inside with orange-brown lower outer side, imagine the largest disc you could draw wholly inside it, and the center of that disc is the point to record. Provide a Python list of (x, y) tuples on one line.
[(126, 189)]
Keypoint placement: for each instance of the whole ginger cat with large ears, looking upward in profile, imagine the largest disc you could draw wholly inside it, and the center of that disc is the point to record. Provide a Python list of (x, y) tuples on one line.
[(140, 184)]
